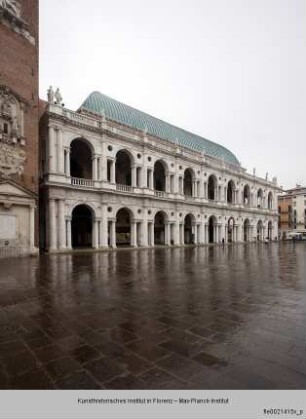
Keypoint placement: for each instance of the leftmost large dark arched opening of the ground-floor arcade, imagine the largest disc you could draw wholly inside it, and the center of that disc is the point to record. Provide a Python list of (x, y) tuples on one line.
[(81, 227)]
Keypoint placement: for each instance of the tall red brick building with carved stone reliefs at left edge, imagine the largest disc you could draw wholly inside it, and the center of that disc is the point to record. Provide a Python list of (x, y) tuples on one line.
[(18, 126)]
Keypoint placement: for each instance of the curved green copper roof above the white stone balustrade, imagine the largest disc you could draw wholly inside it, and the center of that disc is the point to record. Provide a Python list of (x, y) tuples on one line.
[(117, 111)]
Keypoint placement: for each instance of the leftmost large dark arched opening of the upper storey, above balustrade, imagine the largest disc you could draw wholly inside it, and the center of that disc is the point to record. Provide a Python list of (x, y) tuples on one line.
[(80, 159)]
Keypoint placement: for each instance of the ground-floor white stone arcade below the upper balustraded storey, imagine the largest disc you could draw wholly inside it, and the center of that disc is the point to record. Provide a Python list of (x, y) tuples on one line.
[(89, 220)]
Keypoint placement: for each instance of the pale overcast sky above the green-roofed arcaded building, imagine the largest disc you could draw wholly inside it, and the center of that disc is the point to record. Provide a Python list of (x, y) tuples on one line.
[(232, 71)]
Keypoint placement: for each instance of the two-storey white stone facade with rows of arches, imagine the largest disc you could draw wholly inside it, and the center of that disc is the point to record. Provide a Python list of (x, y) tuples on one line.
[(169, 213)]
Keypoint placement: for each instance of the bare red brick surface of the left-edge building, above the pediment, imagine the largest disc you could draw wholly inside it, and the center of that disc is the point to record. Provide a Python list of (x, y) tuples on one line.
[(19, 72)]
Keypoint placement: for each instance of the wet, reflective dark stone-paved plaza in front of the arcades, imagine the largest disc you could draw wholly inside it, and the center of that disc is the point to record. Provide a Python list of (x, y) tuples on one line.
[(181, 318)]
